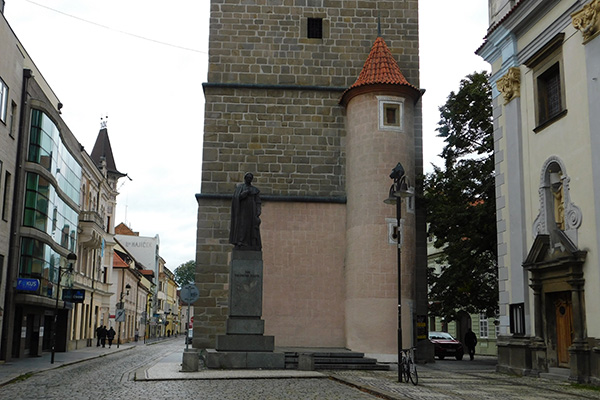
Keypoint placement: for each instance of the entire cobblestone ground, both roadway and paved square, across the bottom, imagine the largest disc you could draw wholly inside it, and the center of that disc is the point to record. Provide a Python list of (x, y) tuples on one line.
[(113, 376)]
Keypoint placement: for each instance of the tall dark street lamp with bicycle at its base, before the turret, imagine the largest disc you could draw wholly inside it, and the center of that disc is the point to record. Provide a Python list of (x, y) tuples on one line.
[(398, 191)]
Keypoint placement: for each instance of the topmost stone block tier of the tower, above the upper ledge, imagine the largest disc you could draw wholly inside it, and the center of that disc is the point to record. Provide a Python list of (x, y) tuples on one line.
[(265, 41)]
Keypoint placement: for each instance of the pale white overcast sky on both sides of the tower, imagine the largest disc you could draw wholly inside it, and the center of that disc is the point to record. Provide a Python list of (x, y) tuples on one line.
[(143, 62)]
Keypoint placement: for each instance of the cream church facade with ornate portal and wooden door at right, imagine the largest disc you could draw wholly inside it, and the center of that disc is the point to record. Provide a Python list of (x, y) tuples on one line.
[(545, 58)]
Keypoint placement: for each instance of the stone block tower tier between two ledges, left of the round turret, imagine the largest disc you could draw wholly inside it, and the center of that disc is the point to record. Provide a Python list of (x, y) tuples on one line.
[(291, 140)]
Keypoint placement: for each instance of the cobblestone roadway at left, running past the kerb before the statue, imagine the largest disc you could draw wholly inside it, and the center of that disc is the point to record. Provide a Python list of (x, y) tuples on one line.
[(112, 378)]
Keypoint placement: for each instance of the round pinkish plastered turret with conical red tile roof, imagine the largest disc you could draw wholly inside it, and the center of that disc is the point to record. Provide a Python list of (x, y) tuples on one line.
[(379, 134)]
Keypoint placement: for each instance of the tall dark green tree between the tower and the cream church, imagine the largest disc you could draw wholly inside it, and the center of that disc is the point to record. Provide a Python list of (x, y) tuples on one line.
[(461, 207)]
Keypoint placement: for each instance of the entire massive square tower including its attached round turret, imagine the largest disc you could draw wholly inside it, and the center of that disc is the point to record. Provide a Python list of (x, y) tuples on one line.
[(286, 100)]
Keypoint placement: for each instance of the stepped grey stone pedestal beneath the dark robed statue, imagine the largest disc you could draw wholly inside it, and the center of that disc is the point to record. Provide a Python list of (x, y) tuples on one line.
[(244, 344)]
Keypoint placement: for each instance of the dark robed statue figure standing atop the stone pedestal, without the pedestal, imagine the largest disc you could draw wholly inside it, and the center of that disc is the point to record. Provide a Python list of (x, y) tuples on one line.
[(244, 232)]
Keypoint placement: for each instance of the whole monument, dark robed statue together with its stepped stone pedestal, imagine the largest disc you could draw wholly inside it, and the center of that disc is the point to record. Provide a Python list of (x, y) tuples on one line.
[(244, 346)]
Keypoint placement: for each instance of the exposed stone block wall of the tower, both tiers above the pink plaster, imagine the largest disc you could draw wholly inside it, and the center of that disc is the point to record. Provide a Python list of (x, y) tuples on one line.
[(272, 94)]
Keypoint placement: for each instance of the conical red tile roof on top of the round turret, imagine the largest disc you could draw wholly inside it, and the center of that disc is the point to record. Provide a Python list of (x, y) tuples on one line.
[(380, 69)]
